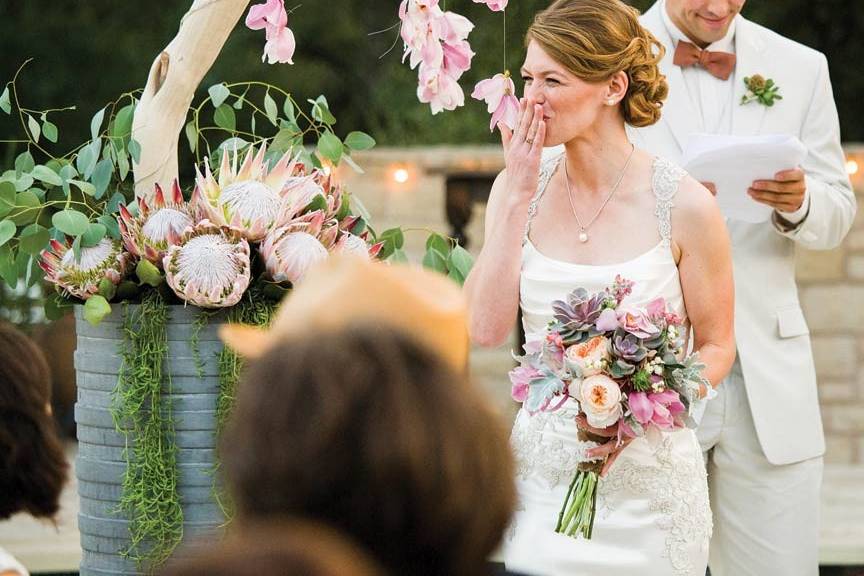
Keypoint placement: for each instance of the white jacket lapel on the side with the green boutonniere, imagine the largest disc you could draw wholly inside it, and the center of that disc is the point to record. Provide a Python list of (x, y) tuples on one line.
[(749, 48)]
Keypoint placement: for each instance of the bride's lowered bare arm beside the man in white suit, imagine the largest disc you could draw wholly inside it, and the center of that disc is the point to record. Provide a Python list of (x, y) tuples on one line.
[(705, 268)]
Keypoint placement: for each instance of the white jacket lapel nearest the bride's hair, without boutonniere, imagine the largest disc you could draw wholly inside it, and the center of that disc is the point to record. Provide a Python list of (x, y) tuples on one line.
[(678, 112)]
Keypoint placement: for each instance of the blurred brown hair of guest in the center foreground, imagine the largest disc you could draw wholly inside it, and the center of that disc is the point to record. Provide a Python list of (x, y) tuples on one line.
[(366, 430)]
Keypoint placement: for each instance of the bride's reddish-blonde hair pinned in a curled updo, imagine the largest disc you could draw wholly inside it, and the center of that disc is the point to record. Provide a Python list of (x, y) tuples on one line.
[(594, 39)]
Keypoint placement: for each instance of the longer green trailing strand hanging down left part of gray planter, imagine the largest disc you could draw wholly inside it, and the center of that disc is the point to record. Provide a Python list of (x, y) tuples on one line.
[(150, 498)]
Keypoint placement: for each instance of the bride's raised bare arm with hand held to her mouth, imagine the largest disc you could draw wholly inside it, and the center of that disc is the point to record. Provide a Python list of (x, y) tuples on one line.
[(492, 287)]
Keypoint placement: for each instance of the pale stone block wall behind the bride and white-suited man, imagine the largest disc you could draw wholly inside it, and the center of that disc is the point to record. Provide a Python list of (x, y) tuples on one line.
[(831, 282)]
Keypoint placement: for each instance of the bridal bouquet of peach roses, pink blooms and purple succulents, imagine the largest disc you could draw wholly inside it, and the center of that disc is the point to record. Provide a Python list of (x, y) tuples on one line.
[(624, 367)]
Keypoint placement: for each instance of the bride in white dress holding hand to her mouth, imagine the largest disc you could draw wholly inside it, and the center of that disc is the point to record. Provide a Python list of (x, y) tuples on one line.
[(599, 209)]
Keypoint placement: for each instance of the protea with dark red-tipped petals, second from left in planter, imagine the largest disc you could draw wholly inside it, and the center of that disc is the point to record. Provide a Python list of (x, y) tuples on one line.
[(155, 228)]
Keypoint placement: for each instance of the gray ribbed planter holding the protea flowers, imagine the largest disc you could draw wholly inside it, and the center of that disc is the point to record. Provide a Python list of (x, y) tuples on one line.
[(100, 465)]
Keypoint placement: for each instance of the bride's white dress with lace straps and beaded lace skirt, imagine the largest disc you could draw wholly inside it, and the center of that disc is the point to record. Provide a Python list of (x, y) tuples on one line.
[(653, 517)]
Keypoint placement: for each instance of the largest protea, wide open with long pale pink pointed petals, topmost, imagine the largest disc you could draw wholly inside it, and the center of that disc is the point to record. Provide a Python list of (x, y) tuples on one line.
[(252, 198)]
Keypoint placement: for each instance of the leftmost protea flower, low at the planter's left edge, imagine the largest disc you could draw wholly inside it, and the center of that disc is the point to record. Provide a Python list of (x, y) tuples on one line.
[(81, 278)]
